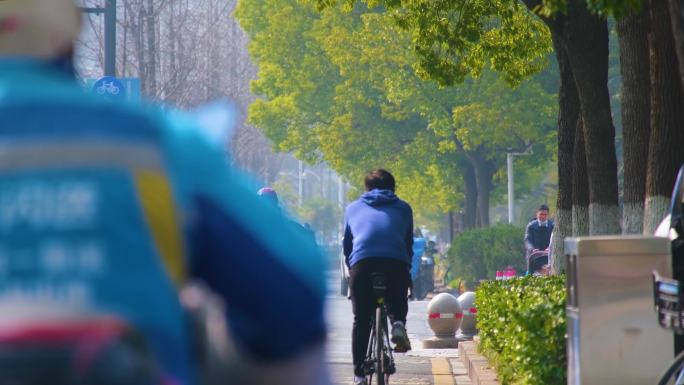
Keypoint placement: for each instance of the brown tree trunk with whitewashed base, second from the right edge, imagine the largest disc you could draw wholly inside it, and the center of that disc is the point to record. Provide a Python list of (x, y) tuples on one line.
[(636, 106)]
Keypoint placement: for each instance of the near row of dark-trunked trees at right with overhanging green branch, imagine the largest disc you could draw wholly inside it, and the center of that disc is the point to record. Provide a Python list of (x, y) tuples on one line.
[(447, 34)]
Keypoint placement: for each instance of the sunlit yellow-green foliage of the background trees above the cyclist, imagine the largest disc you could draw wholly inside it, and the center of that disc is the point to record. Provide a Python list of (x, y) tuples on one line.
[(342, 88)]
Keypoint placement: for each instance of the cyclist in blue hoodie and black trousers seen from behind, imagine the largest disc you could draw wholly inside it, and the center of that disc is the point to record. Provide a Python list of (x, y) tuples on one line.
[(378, 237)]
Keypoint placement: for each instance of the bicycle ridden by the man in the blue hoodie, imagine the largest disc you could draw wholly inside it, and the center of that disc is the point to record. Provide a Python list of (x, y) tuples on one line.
[(379, 360)]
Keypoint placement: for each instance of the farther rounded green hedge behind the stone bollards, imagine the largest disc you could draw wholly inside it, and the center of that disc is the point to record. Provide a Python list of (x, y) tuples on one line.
[(477, 254)]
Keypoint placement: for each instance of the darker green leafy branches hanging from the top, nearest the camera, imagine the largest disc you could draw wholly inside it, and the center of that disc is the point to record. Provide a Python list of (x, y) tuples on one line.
[(453, 39)]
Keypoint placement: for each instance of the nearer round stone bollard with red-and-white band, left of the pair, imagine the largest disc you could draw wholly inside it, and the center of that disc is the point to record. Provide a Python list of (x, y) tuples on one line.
[(444, 318)]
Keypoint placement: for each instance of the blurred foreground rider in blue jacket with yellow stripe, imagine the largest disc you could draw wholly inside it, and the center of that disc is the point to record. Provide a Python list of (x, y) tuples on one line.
[(112, 208)]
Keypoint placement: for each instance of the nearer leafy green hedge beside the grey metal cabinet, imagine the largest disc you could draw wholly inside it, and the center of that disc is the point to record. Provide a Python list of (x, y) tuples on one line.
[(522, 329)]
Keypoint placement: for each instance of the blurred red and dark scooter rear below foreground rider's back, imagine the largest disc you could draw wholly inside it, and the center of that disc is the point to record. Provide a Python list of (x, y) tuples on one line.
[(44, 344)]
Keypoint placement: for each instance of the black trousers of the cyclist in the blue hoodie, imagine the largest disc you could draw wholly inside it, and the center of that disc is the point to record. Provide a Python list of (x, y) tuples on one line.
[(363, 300)]
